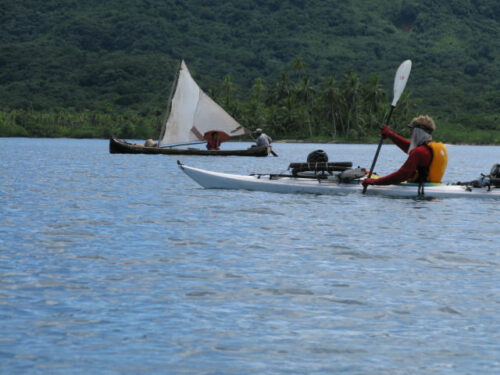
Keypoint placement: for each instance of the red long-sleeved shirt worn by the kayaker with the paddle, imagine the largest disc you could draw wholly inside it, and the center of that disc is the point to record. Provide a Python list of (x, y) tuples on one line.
[(420, 156)]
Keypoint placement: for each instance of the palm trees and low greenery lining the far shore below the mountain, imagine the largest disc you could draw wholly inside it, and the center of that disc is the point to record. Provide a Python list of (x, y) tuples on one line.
[(347, 108)]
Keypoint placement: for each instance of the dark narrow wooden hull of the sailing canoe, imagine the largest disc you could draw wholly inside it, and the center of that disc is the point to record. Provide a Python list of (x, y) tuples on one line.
[(118, 146)]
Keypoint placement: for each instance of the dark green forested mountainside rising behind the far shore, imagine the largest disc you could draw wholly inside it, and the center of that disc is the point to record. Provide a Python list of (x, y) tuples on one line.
[(116, 60)]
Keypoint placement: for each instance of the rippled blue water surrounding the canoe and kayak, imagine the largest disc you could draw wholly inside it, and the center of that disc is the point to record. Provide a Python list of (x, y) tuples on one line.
[(118, 264)]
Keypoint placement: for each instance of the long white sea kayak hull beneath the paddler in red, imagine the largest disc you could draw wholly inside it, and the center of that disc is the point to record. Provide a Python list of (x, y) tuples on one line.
[(292, 185)]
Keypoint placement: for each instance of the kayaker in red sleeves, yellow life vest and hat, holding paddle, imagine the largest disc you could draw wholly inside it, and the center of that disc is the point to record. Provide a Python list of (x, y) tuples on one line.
[(426, 161)]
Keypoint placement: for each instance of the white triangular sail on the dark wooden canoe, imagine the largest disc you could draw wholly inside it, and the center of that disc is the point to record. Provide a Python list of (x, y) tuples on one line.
[(193, 113)]
